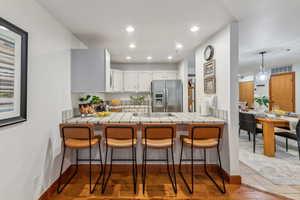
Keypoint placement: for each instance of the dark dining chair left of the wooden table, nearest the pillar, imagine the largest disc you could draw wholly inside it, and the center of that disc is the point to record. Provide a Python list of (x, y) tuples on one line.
[(247, 122)]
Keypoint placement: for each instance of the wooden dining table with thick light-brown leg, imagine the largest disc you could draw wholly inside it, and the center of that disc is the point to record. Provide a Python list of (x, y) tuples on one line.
[(269, 133)]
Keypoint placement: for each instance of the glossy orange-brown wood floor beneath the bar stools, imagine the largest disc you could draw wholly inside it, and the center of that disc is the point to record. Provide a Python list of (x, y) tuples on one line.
[(158, 187)]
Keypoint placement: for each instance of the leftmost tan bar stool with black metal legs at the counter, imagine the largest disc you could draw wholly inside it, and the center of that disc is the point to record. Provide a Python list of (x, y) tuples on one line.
[(79, 136)]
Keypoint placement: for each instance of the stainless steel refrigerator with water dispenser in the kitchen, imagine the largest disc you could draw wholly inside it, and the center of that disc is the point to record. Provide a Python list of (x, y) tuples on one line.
[(166, 95)]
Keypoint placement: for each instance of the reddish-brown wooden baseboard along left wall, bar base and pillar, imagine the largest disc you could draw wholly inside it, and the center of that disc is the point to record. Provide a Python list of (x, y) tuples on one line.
[(150, 167)]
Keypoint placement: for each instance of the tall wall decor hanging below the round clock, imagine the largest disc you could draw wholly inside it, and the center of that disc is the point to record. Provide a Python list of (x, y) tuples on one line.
[(209, 77)]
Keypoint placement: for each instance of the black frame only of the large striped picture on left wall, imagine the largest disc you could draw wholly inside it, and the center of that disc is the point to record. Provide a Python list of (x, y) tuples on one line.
[(23, 74)]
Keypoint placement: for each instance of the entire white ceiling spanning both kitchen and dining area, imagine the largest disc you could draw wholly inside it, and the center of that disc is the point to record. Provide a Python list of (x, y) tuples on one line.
[(271, 25)]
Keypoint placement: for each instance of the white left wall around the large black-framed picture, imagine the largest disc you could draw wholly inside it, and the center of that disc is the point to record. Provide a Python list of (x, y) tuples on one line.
[(29, 161)]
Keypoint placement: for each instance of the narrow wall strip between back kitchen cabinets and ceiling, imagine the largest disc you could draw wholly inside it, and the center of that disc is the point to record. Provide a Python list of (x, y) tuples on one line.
[(145, 66)]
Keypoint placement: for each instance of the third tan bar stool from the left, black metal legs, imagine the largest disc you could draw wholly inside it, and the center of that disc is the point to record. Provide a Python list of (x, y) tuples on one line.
[(159, 136)]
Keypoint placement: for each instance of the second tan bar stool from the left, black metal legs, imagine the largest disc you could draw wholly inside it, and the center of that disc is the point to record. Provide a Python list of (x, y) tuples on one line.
[(120, 136)]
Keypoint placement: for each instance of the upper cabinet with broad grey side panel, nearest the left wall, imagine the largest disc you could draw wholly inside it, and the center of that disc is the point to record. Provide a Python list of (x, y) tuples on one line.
[(89, 69)]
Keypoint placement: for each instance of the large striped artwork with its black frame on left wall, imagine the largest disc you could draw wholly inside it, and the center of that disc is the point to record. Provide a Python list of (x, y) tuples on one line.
[(13, 73)]
